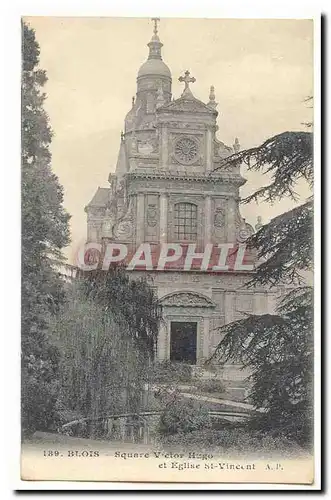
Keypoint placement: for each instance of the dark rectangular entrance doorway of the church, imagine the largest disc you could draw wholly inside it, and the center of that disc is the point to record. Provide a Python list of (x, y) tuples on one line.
[(183, 343)]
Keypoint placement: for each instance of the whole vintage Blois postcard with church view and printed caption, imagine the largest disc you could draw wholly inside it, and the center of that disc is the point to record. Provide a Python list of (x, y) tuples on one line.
[(167, 250)]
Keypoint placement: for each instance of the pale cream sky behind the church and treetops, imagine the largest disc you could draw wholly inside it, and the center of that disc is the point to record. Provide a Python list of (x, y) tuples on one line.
[(262, 71)]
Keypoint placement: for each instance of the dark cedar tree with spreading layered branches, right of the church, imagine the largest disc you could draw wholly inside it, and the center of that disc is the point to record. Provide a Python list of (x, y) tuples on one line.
[(278, 348)]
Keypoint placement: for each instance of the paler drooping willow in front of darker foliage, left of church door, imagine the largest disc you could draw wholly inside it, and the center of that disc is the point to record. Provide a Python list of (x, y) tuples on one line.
[(100, 368)]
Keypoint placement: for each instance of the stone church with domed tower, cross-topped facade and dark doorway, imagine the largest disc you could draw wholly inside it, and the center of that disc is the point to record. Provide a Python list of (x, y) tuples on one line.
[(171, 184)]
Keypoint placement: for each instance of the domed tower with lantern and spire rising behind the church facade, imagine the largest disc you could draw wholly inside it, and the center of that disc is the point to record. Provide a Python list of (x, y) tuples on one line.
[(153, 87)]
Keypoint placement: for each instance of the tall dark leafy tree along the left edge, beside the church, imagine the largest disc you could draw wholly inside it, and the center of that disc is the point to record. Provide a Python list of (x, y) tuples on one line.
[(45, 232)]
